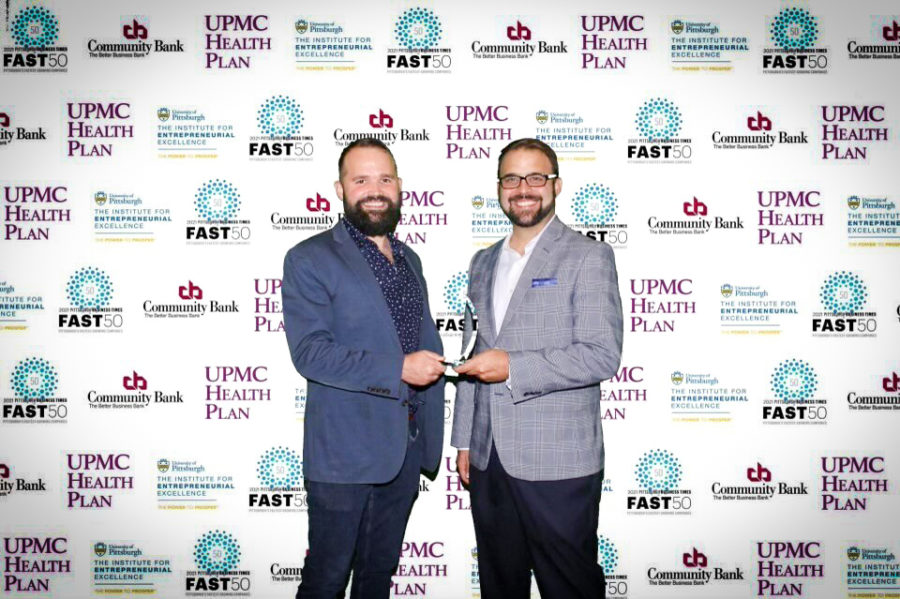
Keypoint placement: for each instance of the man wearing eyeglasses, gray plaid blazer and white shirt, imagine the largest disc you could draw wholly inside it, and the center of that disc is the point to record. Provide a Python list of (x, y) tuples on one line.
[(527, 416)]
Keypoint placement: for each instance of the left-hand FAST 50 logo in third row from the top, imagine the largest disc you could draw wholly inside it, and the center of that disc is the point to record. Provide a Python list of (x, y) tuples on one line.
[(217, 204)]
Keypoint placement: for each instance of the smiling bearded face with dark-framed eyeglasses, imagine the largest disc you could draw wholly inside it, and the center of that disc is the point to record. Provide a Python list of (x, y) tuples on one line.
[(528, 206)]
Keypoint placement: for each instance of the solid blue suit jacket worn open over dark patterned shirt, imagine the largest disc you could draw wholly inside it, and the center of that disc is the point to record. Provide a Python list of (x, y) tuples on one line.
[(343, 341)]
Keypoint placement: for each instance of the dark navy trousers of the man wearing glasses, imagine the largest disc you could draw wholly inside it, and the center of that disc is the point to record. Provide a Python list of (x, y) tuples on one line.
[(546, 526)]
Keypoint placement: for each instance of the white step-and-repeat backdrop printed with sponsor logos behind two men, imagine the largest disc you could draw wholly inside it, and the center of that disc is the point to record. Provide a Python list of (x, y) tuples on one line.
[(157, 160)]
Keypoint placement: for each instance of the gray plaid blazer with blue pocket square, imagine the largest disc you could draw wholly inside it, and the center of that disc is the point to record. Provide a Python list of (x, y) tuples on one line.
[(563, 333)]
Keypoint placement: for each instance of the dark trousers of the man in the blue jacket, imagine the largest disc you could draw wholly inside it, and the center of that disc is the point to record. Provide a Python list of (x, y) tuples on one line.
[(360, 527)]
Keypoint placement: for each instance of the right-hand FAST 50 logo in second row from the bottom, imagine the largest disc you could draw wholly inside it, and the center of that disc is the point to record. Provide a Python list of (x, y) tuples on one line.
[(658, 474)]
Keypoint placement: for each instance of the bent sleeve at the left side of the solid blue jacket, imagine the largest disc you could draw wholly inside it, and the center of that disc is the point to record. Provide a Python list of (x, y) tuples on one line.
[(308, 317)]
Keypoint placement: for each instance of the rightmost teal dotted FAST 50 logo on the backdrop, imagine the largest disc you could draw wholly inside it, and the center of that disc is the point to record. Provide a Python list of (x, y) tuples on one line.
[(844, 295)]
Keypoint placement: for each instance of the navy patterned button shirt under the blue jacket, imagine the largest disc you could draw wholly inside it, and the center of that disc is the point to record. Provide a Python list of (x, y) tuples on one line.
[(398, 284)]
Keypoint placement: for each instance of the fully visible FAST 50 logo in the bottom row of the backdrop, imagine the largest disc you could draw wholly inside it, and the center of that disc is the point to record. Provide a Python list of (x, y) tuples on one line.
[(217, 556)]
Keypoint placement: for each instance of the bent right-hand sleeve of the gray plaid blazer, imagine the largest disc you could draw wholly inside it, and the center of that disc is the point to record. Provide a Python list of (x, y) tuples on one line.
[(596, 350)]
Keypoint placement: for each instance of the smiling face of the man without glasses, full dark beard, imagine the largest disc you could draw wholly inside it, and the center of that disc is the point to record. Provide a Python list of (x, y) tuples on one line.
[(370, 189)]
